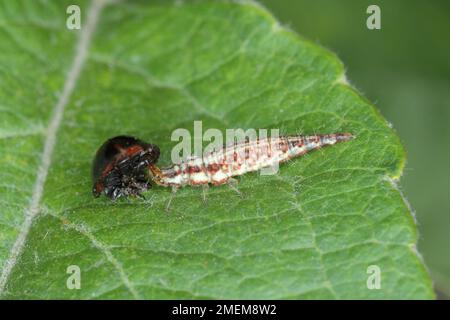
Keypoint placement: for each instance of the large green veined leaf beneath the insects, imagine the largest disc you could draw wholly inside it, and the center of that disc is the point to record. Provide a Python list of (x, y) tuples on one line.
[(143, 69)]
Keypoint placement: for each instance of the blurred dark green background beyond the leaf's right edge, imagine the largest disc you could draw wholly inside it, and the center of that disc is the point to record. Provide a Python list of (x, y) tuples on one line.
[(404, 69)]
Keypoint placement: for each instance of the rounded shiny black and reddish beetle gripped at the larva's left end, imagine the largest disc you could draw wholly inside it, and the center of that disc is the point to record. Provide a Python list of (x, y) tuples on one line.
[(120, 167)]
